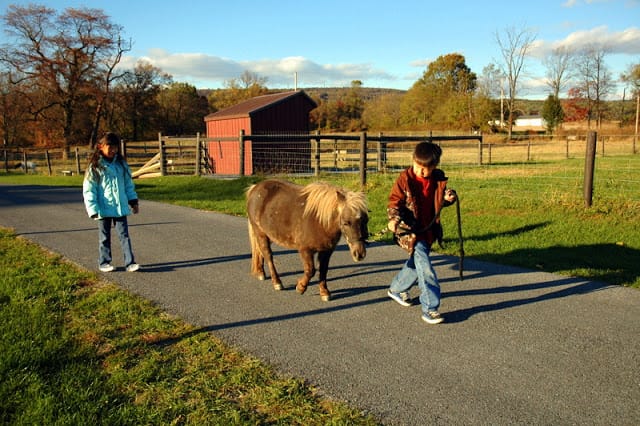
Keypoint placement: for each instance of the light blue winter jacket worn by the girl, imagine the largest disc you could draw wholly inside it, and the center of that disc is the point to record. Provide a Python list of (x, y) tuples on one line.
[(109, 191)]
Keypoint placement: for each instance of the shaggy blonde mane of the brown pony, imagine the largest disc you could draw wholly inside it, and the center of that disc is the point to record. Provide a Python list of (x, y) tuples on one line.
[(324, 199)]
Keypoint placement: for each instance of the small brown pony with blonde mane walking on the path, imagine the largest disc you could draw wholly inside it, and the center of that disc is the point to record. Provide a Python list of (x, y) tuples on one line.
[(310, 219)]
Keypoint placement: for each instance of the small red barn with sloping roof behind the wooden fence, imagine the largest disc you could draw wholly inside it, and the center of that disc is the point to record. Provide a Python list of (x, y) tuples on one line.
[(278, 113)]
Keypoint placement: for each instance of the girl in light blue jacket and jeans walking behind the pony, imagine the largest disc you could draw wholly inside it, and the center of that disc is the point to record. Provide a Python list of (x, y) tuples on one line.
[(109, 197)]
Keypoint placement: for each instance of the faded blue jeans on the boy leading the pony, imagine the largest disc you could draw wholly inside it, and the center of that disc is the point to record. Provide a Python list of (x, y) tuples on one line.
[(418, 269)]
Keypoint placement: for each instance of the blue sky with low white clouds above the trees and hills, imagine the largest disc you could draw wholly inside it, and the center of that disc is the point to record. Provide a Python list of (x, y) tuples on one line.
[(329, 43)]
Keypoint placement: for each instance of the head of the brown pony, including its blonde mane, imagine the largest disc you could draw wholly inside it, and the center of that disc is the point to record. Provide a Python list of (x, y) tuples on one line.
[(345, 209)]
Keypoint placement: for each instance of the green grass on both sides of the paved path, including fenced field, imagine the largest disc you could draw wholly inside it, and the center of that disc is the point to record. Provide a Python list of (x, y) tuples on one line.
[(79, 351)]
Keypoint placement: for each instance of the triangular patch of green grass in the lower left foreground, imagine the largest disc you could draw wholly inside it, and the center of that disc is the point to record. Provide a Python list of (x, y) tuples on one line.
[(79, 351)]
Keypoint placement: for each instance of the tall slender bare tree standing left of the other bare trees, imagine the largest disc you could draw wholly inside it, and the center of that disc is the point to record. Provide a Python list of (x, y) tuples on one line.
[(514, 45)]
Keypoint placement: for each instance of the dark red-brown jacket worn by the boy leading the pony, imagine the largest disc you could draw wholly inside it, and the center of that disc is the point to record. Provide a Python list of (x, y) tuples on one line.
[(404, 204)]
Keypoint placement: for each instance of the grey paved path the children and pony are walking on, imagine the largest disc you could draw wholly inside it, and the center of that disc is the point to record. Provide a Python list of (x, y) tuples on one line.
[(517, 347)]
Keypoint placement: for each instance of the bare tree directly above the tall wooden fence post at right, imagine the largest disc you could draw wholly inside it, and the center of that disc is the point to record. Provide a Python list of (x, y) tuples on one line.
[(595, 81)]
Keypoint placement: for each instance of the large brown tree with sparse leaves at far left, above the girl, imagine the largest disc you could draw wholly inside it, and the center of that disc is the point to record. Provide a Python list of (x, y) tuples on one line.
[(67, 59)]
